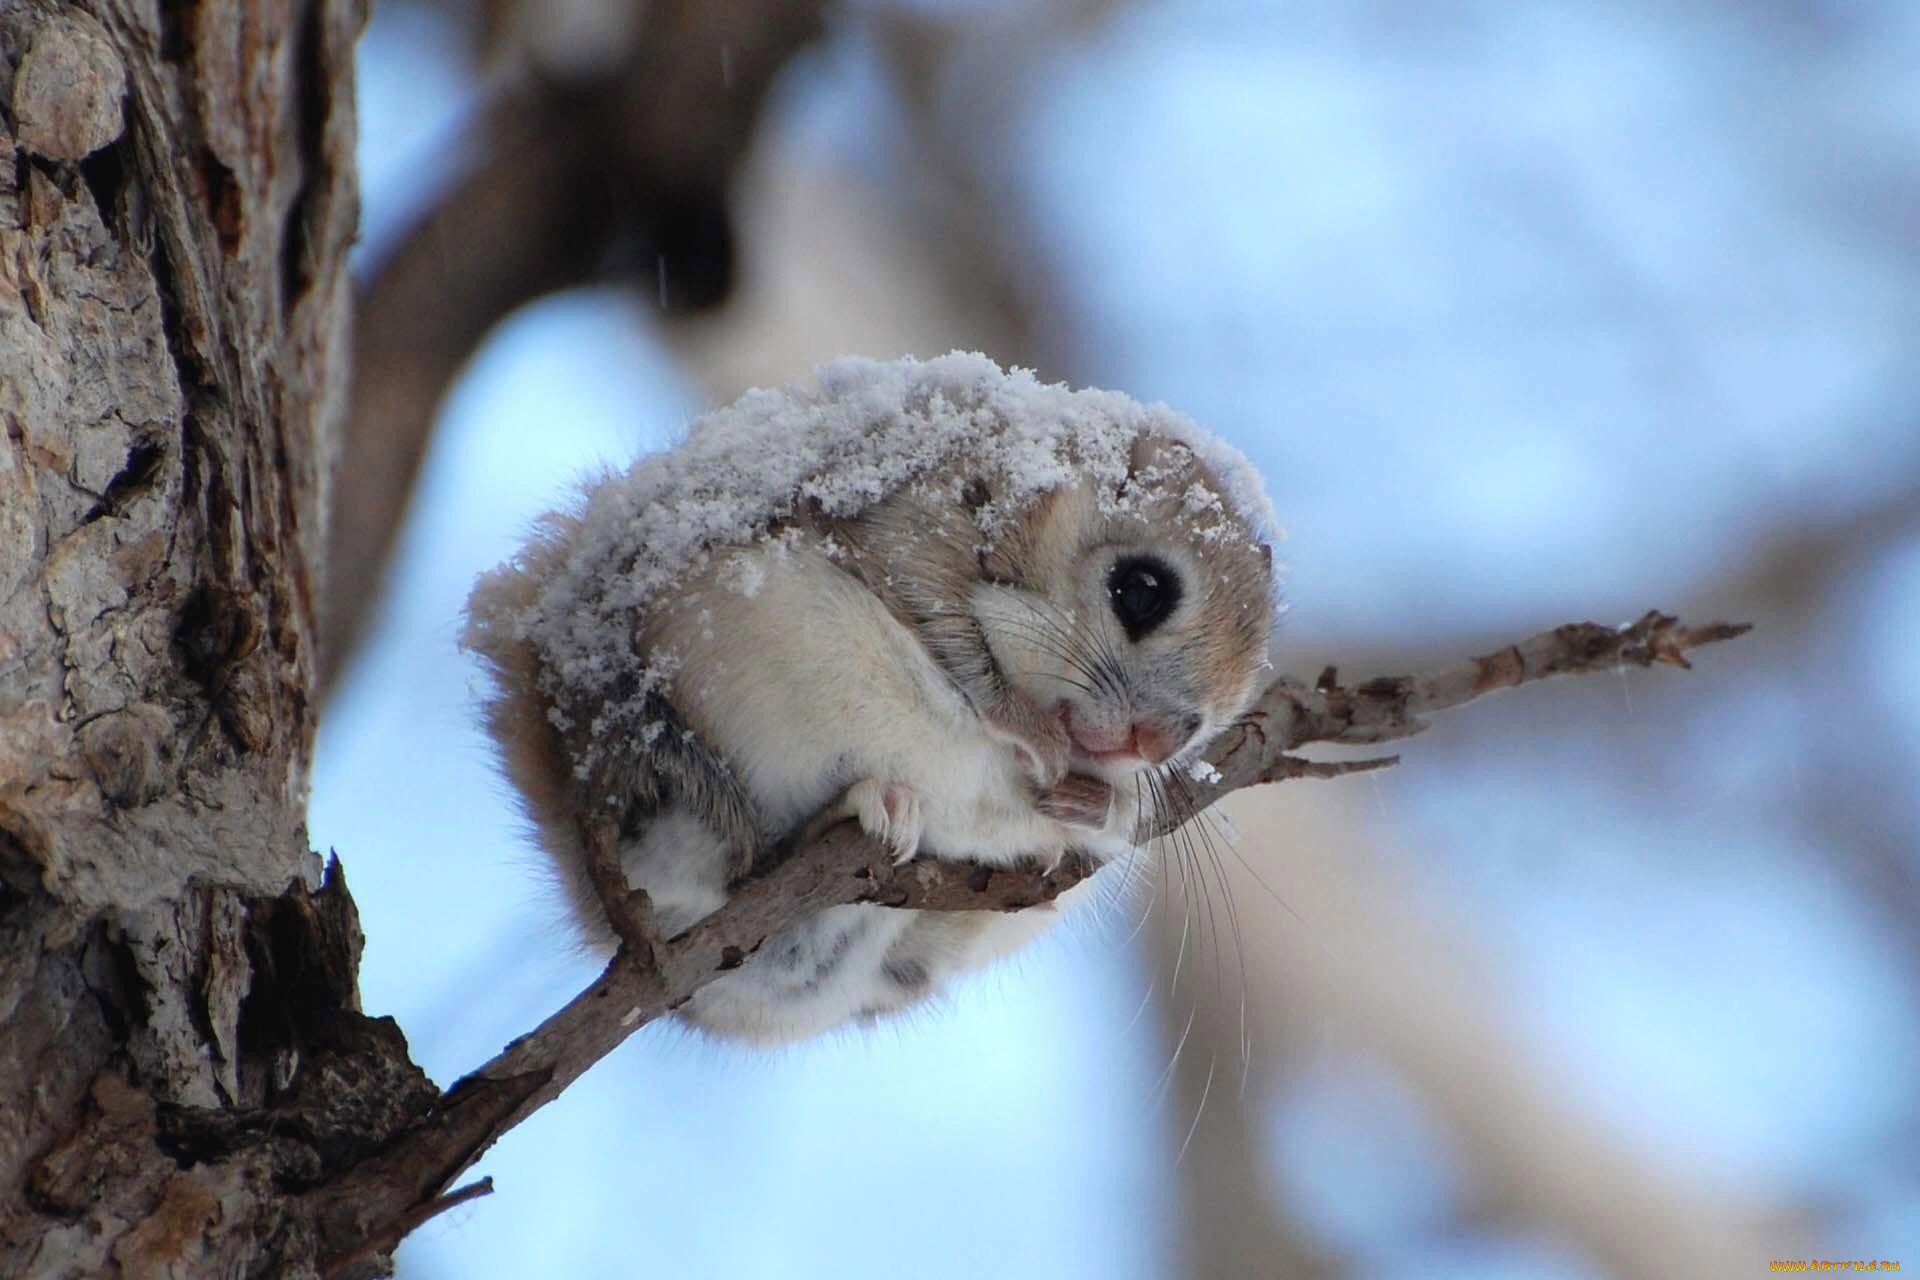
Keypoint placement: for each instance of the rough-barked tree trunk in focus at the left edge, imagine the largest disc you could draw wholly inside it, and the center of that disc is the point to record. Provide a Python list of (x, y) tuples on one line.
[(181, 1053)]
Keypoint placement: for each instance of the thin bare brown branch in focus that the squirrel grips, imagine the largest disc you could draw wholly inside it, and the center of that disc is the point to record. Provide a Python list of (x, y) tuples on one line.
[(648, 980)]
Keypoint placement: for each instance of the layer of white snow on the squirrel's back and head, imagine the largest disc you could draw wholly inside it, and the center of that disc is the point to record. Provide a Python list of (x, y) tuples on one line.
[(861, 433)]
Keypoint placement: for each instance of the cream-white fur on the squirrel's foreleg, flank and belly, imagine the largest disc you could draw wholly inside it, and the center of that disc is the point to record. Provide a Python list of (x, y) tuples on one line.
[(813, 690)]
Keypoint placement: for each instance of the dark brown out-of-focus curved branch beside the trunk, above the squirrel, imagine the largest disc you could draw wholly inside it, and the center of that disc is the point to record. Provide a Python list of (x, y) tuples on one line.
[(617, 172)]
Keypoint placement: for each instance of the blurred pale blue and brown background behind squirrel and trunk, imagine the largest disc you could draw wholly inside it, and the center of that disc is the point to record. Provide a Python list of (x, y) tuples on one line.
[(1529, 314)]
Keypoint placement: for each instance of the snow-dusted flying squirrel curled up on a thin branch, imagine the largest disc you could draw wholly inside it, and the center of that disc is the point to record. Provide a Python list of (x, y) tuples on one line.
[(986, 617)]
